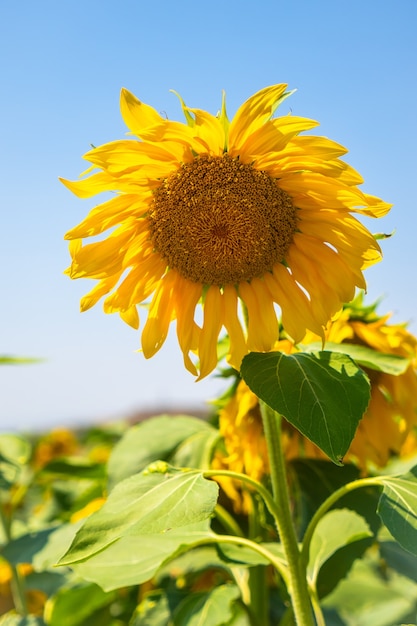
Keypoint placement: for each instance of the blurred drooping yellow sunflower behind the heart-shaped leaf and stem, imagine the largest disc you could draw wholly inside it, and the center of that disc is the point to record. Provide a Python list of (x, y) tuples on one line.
[(388, 428)]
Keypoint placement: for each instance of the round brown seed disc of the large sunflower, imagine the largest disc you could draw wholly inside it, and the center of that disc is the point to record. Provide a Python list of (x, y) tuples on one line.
[(218, 221)]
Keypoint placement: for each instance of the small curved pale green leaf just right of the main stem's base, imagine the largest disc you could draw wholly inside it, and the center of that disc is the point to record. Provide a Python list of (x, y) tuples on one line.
[(334, 531)]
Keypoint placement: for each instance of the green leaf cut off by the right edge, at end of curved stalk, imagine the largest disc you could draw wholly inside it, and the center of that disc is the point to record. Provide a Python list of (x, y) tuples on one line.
[(398, 508)]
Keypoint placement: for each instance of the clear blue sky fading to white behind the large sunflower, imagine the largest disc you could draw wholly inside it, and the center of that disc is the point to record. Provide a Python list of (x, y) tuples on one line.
[(62, 67)]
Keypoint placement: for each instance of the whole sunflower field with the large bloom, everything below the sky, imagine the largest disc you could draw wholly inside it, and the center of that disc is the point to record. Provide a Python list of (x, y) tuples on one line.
[(293, 501)]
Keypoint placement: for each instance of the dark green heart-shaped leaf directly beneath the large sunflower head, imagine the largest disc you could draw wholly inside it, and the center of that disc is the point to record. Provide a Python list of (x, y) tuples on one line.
[(323, 395)]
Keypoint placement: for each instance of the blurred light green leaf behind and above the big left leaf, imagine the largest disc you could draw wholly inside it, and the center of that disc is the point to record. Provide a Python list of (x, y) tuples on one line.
[(158, 438)]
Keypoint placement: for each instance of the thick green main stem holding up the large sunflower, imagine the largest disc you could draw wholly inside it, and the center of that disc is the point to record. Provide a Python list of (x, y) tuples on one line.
[(298, 588)]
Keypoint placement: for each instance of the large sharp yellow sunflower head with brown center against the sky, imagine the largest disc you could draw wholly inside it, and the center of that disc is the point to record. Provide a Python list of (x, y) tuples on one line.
[(221, 213)]
